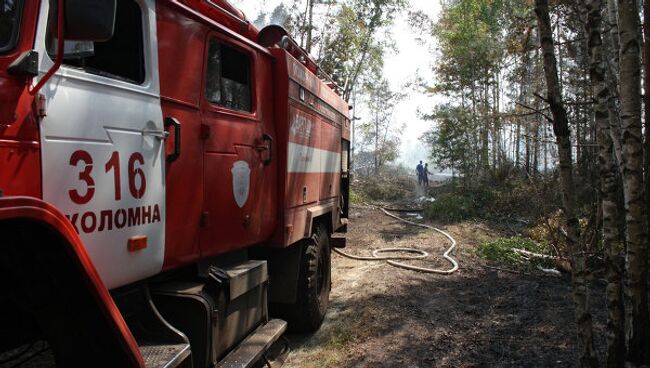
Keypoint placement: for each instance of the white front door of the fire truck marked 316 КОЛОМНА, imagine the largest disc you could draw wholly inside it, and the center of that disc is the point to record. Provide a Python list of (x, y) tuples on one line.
[(103, 142)]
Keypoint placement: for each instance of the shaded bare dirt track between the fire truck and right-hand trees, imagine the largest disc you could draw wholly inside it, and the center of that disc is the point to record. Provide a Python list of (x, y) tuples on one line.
[(382, 316)]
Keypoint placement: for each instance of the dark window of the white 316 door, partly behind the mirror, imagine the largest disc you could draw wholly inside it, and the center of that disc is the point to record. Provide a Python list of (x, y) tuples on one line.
[(121, 57)]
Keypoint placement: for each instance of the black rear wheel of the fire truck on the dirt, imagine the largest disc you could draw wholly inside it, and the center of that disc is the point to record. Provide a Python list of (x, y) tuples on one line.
[(314, 283)]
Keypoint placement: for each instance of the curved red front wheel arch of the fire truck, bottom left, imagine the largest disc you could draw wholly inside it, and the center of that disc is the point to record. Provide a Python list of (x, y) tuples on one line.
[(49, 228)]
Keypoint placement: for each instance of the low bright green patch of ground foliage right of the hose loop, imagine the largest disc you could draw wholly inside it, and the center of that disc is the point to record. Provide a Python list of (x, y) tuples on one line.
[(501, 251)]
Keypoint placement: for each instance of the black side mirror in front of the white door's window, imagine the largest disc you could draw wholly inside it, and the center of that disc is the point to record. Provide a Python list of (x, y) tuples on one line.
[(89, 20)]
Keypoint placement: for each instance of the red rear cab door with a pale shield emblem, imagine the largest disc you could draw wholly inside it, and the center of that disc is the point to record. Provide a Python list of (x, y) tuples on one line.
[(236, 179)]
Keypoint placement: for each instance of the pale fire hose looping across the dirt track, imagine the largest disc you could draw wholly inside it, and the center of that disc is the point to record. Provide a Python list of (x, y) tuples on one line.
[(415, 253)]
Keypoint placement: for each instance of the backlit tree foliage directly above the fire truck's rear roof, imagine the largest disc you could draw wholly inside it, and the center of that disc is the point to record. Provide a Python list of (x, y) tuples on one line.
[(347, 38)]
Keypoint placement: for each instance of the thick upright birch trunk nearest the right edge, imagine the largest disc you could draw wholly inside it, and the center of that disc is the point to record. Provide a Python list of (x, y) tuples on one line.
[(637, 323)]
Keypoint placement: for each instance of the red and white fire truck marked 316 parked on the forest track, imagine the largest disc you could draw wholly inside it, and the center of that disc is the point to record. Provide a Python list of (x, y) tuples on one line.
[(172, 180)]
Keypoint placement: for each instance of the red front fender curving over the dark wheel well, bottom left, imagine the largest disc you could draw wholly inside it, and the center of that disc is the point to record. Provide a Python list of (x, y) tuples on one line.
[(32, 212)]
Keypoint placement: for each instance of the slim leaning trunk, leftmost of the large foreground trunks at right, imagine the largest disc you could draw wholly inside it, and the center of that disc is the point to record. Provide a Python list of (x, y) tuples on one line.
[(580, 273)]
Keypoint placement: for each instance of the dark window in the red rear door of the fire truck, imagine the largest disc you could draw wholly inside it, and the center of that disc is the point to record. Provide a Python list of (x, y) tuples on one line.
[(228, 81)]
